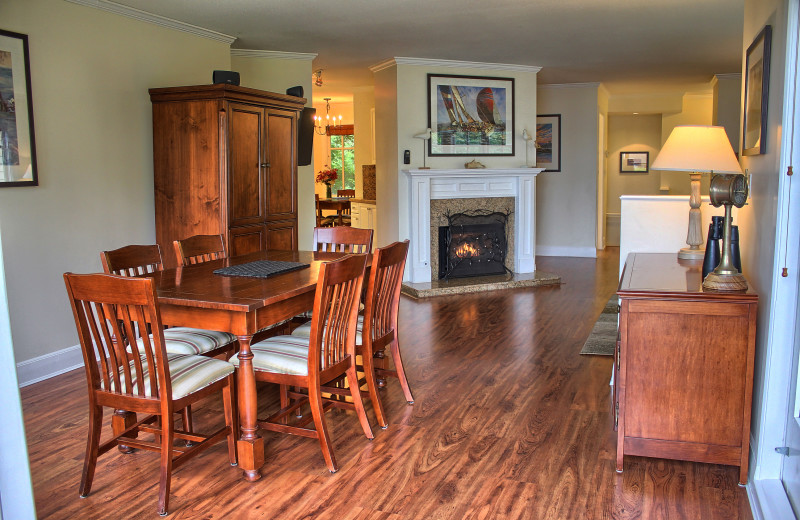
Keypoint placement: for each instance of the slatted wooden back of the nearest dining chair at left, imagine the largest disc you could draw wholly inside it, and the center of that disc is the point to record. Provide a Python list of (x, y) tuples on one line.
[(111, 312)]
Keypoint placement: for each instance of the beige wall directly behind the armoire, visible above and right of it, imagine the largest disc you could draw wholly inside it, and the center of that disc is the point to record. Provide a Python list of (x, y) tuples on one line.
[(276, 75)]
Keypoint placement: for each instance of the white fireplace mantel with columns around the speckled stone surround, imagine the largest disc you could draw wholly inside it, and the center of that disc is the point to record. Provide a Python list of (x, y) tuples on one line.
[(425, 185)]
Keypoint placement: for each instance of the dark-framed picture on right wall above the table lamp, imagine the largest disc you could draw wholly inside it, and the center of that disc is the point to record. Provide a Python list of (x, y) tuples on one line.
[(756, 94)]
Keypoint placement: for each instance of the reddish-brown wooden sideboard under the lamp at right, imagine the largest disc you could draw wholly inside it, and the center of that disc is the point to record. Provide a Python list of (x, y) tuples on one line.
[(684, 365)]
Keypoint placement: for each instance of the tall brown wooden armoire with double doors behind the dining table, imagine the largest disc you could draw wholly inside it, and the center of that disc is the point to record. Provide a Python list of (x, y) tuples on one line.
[(225, 162)]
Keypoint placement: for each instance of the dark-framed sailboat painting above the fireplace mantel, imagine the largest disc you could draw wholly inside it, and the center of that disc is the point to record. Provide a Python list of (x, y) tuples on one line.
[(470, 115)]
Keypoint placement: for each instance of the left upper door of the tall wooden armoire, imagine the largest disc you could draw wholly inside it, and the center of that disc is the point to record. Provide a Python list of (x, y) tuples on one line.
[(246, 164)]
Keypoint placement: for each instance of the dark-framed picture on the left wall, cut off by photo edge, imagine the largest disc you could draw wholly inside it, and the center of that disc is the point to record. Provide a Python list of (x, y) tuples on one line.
[(17, 147)]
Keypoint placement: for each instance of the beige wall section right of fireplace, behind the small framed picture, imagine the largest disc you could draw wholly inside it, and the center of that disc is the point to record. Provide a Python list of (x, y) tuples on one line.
[(566, 201)]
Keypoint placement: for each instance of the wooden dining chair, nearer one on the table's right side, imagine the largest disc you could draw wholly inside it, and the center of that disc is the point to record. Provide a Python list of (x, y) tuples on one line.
[(306, 364)]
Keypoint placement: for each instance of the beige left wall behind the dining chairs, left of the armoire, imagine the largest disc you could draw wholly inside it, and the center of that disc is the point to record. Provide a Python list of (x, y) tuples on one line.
[(90, 71)]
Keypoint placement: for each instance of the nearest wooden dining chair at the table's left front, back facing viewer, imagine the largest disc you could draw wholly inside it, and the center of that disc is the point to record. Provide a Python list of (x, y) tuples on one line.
[(154, 383)]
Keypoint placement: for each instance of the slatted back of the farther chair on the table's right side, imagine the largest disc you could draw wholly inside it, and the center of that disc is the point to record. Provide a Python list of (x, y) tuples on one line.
[(382, 300)]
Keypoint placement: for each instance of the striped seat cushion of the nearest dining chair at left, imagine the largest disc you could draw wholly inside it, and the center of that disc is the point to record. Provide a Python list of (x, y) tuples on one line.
[(188, 374)]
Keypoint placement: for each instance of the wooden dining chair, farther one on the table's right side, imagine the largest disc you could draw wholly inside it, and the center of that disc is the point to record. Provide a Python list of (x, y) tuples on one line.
[(377, 327)]
